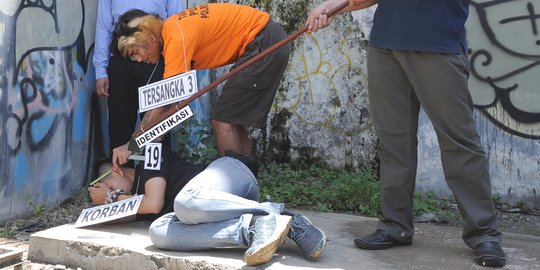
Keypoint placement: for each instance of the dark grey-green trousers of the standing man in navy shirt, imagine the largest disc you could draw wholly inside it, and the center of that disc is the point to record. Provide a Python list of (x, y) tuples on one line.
[(400, 82)]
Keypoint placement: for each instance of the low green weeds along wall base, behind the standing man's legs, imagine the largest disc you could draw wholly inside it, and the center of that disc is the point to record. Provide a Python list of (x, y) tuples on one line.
[(315, 188)]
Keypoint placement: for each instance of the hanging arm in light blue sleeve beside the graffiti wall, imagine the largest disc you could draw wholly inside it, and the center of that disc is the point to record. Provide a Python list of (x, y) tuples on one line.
[(104, 24)]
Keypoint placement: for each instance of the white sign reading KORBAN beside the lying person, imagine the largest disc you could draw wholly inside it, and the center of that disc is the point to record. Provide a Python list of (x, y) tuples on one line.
[(108, 212)]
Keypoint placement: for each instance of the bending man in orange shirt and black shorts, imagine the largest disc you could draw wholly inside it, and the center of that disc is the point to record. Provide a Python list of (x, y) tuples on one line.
[(210, 36)]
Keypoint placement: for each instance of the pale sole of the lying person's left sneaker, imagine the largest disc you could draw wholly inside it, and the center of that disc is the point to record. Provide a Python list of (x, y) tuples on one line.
[(265, 253)]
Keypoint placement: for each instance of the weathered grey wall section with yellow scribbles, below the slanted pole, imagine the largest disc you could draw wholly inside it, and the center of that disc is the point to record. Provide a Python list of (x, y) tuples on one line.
[(320, 112)]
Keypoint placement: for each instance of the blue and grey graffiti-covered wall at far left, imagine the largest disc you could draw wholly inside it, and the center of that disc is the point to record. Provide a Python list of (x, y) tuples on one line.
[(46, 97)]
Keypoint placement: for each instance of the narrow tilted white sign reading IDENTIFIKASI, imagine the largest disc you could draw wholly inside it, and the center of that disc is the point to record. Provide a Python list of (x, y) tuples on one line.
[(162, 127)]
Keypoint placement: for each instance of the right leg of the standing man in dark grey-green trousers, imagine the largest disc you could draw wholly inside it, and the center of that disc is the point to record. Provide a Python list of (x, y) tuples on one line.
[(448, 104)]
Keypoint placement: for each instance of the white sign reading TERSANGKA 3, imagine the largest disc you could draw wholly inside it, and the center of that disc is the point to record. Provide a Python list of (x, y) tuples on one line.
[(167, 91)]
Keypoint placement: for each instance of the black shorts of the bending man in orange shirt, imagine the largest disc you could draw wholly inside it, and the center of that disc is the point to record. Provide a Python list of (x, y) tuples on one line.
[(247, 97)]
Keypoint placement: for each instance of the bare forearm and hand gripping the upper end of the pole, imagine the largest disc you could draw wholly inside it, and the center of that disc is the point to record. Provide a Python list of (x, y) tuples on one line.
[(318, 20)]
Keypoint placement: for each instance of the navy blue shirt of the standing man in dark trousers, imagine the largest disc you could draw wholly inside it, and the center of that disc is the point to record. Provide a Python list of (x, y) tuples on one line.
[(420, 25)]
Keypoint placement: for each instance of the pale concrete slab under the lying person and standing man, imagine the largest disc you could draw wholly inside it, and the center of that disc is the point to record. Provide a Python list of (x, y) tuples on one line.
[(127, 246)]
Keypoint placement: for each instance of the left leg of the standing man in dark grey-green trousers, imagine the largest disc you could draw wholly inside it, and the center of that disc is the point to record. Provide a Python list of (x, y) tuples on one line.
[(394, 107)]
